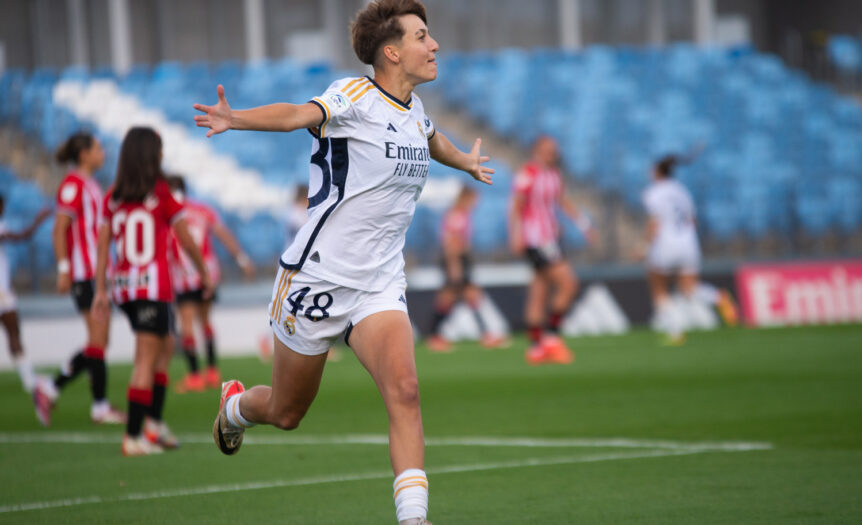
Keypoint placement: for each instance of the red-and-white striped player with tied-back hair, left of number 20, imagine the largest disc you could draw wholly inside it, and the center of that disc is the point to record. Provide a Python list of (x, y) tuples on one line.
[(79, 204)]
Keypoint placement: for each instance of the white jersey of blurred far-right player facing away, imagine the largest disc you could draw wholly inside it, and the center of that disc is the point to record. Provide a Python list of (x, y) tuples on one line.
[(675, 245)]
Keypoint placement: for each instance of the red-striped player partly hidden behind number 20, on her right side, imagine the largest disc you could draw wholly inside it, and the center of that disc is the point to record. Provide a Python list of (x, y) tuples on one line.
[(203, 222)]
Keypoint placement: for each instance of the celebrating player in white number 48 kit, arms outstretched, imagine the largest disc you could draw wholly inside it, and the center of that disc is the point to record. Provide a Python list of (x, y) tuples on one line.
[(344, 273)]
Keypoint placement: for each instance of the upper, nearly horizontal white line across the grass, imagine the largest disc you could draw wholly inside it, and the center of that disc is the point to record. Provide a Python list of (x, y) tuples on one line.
[(88, 438)]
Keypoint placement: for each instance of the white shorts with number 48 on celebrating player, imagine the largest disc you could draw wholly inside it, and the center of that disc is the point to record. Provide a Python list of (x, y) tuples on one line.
[(308, 314)]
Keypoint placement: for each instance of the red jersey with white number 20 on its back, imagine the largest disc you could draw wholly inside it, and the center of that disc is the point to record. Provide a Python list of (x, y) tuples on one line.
[(140, 234)]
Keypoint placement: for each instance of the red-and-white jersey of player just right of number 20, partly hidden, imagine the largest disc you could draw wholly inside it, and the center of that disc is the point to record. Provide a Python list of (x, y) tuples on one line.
[(200, 220)]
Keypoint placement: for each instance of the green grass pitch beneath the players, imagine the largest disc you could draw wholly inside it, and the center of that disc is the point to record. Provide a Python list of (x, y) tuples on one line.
[(737, 426)]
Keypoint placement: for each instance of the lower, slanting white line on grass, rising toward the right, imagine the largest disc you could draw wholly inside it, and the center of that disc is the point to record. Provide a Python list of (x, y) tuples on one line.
[(259, 485)]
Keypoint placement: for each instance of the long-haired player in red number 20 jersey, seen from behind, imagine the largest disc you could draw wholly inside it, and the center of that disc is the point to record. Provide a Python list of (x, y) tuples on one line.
[(138, 213)]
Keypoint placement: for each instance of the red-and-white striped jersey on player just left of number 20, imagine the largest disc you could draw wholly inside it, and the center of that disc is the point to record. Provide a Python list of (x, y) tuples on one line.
[(80, 198)]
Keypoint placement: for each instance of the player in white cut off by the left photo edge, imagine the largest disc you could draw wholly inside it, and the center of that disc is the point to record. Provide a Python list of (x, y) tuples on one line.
[(8, 302)]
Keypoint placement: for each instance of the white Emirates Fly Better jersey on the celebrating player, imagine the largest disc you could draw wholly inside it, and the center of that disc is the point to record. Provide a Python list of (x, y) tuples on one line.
[(368, 167)]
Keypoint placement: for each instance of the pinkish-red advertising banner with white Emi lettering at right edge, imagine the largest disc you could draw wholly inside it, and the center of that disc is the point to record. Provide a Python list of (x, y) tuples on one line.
[(801, 293)]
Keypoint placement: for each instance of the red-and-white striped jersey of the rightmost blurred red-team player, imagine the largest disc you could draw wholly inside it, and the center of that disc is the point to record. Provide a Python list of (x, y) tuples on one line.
[(541, 190)]
